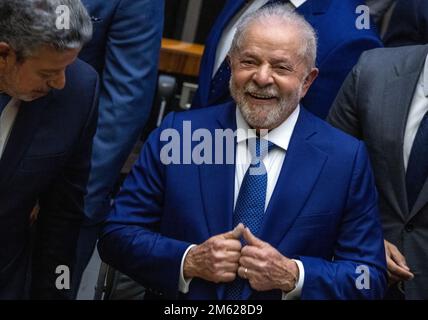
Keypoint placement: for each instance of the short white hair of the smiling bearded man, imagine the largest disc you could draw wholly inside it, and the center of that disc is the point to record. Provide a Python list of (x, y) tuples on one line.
[(286, 16)]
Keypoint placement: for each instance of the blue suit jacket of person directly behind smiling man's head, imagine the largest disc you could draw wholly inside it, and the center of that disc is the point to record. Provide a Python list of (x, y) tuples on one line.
[(340, 44)]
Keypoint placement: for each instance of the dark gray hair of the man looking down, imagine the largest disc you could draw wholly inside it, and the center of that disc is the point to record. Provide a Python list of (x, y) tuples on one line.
[(27, 24)]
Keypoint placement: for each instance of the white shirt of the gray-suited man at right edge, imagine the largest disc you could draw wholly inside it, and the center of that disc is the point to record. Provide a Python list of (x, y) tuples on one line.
[(418, 108)]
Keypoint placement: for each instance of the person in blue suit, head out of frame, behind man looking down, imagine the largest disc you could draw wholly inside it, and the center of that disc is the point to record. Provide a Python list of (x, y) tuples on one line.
[(125, 51)]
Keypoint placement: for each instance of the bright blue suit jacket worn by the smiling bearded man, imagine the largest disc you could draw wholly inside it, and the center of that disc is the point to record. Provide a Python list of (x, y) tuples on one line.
[(324, 207)]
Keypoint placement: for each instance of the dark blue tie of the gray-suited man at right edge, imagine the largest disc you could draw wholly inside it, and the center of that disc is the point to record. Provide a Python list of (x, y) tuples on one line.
[(417, 168)]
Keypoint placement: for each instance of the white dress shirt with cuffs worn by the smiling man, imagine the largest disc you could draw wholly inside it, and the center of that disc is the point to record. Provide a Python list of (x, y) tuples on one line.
[(273, 162)]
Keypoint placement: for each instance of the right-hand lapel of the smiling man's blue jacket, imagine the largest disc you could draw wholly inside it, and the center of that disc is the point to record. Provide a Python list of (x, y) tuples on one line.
[(302, 166)]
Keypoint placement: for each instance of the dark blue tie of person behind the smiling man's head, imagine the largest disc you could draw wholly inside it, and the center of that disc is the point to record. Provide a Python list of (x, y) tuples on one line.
[(219, 87)]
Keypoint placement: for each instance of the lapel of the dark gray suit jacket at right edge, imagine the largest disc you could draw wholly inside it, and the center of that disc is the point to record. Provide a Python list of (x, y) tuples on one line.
[(397, 100)]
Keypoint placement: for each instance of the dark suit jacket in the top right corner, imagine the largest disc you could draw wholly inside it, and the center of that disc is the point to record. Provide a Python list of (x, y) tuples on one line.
[(408, 24)]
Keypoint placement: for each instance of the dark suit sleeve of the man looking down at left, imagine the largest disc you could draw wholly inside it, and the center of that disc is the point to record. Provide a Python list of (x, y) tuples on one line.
[(61, 210)]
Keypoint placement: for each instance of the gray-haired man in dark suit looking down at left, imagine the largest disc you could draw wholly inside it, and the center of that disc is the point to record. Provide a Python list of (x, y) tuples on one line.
[(48, 109)]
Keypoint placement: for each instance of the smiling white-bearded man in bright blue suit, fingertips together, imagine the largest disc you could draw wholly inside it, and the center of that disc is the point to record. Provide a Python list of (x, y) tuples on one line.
[(308, 207)]
